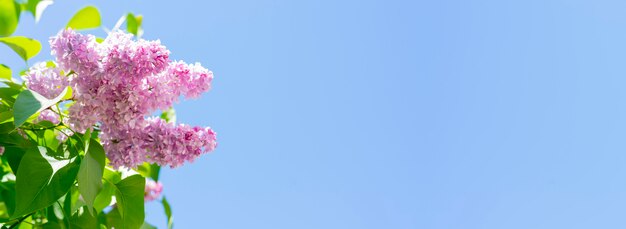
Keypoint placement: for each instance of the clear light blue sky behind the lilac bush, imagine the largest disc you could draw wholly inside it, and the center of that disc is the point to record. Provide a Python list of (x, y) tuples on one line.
[(394, 114)]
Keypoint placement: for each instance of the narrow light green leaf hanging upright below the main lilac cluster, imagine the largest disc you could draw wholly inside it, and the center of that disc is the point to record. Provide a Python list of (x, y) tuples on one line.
[(90, 173)]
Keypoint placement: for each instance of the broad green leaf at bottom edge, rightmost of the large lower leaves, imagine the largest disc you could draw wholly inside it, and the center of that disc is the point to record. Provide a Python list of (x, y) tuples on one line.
[(129, 196)]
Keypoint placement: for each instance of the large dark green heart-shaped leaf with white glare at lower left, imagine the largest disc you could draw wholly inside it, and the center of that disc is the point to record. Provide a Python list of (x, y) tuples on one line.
[(41, 180)]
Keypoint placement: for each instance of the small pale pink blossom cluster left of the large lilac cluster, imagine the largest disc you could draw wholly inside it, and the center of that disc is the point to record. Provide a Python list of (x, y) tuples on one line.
[(46, 81)]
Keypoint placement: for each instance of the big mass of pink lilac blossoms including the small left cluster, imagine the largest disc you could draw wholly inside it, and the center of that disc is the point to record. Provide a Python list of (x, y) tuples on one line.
[(116, 84)]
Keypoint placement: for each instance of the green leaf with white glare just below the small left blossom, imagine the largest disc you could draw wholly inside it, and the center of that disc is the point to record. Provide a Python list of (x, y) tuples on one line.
[(29, 103)]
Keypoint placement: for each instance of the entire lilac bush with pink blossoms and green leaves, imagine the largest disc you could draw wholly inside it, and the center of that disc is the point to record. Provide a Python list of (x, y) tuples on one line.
[(78, 135)]
